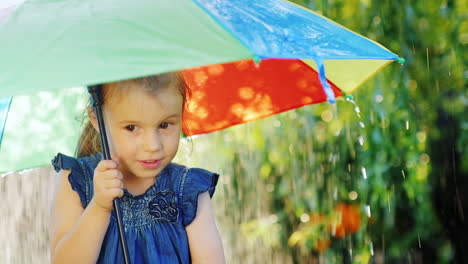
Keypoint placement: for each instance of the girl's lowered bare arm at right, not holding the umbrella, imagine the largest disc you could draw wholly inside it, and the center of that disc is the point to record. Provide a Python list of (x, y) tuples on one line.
[(204, 240)]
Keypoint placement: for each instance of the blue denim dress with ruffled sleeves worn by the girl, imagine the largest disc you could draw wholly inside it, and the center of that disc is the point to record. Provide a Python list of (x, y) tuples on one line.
[(154, 222)]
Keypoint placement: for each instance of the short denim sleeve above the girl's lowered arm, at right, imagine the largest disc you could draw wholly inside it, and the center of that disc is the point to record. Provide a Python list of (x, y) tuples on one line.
[(194, 182)]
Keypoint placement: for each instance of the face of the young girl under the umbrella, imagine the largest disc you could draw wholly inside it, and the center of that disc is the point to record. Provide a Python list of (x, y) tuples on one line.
[(143, 129)]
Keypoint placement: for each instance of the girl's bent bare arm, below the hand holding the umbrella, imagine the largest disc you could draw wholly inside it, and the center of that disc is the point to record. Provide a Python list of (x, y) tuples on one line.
[(76, 234)]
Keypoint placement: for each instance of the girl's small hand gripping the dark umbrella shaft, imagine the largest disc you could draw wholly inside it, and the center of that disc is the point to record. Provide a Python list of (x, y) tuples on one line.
[(108, 184)]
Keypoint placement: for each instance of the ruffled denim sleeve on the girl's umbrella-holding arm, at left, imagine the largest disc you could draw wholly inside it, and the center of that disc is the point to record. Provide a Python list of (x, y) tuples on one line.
[(77, 177)]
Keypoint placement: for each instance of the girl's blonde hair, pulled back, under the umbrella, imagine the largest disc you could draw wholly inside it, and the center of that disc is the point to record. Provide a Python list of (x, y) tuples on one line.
[(89, 142)]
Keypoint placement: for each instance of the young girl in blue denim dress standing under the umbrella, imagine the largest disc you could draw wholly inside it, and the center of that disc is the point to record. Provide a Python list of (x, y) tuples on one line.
[(167, 211)]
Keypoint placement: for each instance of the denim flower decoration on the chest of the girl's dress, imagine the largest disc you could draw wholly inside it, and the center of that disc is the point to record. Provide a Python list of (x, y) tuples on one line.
[(163, 206)]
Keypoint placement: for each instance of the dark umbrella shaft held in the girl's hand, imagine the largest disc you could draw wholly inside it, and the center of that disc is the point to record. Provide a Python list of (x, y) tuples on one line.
[(96, 102)]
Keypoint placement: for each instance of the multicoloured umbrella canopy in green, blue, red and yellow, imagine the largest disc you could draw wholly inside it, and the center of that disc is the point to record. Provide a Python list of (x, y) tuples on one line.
[(244, 60)]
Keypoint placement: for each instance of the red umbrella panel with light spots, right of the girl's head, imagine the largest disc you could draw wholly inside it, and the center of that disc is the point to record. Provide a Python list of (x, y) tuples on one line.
[(234, 93)]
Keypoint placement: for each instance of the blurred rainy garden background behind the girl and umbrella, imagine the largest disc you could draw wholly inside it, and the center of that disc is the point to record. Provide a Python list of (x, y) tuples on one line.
[(382, 178)]
